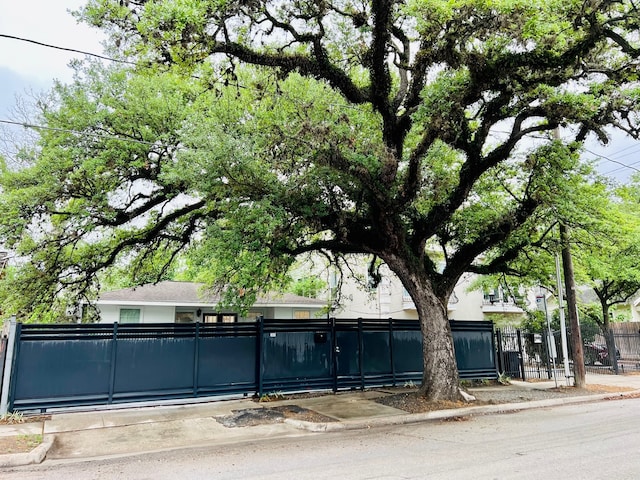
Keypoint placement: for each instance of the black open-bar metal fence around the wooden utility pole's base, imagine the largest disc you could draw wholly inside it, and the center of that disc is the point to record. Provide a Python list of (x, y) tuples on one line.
[(527, 356)]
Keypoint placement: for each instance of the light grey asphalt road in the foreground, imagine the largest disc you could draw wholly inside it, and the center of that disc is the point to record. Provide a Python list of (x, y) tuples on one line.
[(586, 441)]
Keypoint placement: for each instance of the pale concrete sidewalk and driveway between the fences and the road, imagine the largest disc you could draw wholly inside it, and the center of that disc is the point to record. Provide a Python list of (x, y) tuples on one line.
[(132, 431)]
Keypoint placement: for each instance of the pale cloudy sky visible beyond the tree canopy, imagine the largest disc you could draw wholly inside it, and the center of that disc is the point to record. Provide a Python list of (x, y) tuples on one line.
[(26, 67)]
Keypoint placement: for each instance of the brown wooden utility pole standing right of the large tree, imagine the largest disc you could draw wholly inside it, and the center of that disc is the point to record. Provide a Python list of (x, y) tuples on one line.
[(572, 310)]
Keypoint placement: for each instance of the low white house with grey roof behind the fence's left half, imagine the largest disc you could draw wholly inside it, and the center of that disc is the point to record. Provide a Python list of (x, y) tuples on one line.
[(184, 302)]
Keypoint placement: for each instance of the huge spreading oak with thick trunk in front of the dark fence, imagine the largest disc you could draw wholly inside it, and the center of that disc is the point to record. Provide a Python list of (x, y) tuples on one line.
[(270, 129)]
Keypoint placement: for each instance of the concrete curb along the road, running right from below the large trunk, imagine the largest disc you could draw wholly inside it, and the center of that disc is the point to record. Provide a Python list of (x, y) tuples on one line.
[(450, 413)]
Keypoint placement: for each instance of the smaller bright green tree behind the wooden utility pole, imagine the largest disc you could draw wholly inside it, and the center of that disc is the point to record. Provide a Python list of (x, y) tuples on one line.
[(604, 226)]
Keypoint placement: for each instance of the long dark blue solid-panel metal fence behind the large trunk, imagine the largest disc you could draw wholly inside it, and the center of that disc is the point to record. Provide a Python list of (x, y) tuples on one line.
[(73, 365)]
